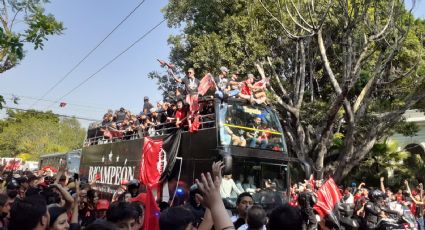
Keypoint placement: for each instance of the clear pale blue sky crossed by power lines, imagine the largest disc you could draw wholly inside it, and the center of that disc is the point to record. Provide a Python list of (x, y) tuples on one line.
[(123, 83)]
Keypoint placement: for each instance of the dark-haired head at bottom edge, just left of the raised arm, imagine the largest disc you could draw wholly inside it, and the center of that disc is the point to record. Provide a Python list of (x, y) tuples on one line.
[(175, 218)]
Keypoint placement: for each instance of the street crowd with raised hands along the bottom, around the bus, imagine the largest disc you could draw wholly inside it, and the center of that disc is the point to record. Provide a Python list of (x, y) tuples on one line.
[(32, 200)]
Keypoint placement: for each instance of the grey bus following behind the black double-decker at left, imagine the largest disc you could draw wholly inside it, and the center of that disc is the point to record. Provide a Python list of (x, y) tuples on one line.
[(53, 161)]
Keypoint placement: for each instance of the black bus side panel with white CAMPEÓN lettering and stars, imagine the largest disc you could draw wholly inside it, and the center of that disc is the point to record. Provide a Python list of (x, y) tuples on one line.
[(110, 164)]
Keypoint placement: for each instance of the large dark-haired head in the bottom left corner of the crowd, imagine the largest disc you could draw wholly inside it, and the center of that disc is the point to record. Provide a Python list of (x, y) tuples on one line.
[(30, 213)]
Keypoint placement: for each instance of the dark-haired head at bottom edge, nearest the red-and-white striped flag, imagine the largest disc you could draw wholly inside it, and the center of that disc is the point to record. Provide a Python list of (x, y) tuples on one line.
[(285, 217)]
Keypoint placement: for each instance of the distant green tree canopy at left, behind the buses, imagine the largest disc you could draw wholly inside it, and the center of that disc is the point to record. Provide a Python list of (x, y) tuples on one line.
[(36, 133)]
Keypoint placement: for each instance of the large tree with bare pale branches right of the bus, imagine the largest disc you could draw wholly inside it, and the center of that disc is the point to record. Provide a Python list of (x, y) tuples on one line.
[(350, 67)]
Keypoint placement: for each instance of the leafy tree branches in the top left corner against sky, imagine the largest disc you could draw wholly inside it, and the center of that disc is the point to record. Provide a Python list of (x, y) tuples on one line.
[(23, 22)]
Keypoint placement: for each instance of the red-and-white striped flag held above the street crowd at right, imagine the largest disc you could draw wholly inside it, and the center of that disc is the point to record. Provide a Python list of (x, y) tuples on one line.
[(327, 197)]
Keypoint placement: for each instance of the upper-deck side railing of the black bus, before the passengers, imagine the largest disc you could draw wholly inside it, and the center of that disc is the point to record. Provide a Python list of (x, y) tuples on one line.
[(153, 131)]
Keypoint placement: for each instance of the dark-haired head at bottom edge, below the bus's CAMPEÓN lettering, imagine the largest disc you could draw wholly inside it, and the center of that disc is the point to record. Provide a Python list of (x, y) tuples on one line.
[(122, 215)]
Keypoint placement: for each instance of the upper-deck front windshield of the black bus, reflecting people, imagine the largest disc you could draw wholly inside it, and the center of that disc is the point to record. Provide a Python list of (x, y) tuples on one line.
[(251, 126)]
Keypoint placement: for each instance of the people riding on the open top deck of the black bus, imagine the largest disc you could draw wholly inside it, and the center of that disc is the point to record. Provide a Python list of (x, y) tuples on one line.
[(184, 109)]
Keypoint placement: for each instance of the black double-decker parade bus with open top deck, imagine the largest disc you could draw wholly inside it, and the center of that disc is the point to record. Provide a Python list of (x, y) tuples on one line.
[(248, 137)]
